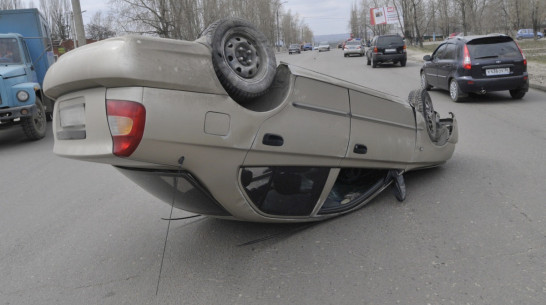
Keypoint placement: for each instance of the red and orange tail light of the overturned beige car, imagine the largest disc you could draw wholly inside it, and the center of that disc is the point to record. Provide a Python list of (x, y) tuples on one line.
[(126, 120)]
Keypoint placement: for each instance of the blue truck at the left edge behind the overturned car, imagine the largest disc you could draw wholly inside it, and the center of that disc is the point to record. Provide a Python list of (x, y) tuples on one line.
[(25, 55)]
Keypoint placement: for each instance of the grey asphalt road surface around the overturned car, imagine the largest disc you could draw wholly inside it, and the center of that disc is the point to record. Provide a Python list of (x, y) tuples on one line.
[(472, 231)]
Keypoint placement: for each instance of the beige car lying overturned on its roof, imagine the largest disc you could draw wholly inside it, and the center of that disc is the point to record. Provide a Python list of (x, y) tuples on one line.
[(215, 127)]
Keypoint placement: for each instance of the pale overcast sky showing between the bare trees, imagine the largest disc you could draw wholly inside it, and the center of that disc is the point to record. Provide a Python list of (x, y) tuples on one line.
[(322, 16)]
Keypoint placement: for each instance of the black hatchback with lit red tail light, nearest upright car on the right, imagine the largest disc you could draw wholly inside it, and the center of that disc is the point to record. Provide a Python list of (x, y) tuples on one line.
[(476, 64)]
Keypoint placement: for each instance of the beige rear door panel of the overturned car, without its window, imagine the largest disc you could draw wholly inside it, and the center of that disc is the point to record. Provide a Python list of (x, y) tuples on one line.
[(311, 130)]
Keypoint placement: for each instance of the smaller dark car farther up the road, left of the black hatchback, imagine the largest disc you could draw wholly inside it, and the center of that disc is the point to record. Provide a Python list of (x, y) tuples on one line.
[(387, 49)]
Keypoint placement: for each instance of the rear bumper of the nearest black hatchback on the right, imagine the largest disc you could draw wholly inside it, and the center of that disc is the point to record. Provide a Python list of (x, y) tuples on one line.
[(469, 84)]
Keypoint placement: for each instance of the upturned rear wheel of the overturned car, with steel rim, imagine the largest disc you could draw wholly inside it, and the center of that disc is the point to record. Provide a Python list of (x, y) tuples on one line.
[(242, 58)]
